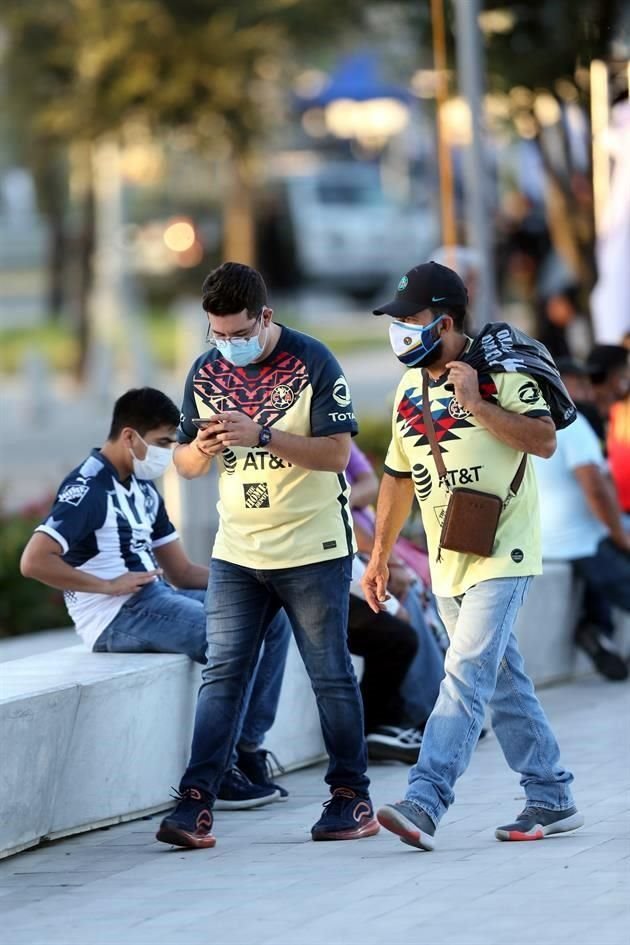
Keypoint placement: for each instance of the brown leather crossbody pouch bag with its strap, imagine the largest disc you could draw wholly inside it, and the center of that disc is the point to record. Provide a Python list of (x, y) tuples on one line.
[(472, 517)]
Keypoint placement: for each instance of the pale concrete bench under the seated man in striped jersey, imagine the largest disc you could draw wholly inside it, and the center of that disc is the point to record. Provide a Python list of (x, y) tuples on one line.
[(92, 739)]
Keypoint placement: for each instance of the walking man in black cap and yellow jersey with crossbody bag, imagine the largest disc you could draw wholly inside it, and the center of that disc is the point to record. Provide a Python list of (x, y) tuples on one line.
[(483, 425)]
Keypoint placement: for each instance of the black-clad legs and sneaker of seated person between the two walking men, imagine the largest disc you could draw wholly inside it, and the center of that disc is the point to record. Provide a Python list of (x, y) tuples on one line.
[(388, 645)]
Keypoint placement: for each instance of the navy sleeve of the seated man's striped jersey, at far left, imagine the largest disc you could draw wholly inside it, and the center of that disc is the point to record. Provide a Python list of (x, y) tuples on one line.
[(79, 510)]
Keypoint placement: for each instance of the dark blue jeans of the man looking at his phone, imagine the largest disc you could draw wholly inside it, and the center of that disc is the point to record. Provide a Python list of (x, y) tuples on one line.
[(241, 603)]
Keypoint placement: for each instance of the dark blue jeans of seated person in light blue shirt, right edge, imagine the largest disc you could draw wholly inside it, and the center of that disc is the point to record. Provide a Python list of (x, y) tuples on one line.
[(606, 576)]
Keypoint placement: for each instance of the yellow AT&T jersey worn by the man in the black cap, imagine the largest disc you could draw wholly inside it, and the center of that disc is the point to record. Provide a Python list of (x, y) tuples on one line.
[(473, 458)]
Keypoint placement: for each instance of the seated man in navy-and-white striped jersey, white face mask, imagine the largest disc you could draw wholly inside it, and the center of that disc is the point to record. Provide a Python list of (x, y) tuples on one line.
[(106, 544)]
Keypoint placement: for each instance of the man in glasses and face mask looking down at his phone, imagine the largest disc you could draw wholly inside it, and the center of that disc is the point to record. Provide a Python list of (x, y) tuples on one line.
[(280, 420)]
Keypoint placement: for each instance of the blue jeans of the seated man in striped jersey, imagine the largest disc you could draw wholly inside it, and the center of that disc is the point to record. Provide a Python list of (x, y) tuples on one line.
[(160, 619)]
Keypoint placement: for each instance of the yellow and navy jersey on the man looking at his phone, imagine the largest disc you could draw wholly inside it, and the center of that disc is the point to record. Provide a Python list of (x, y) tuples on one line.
[(273, 514)]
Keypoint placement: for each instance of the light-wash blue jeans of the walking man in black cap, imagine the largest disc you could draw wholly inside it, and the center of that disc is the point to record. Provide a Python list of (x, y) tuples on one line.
[(485, 668)]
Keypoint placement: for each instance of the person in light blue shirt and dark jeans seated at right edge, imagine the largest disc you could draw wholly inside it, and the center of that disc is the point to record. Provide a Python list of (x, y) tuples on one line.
[(581, 523)]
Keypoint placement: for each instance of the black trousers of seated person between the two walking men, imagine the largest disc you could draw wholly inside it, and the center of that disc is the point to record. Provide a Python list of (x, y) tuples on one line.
[(388, 646)]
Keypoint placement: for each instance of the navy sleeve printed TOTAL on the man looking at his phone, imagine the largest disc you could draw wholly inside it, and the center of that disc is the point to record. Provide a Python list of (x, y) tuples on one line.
[(331, 406)]
